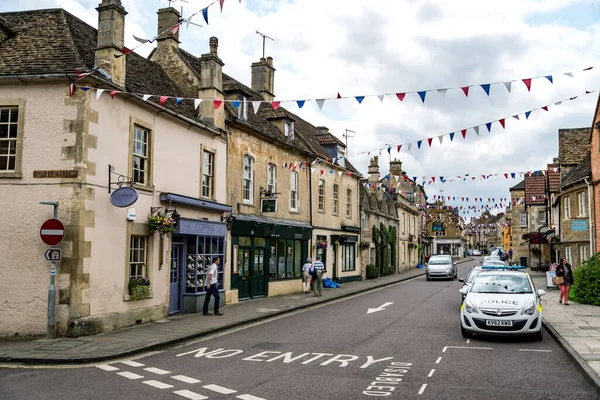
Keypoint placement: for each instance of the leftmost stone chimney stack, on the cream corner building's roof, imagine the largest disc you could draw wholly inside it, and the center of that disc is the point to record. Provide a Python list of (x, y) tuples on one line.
[(111, 33)]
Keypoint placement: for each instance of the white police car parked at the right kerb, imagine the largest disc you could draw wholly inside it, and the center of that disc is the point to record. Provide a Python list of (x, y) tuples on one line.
[(502, 301)]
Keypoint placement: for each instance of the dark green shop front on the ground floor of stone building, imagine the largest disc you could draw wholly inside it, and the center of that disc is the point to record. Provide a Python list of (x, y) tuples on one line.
[(267, 256)]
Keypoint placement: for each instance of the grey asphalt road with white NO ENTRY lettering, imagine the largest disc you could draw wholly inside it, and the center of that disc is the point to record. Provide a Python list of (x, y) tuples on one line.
[(410, 348)]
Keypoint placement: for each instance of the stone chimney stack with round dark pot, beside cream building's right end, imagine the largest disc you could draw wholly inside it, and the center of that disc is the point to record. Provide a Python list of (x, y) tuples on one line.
[(211, 86)]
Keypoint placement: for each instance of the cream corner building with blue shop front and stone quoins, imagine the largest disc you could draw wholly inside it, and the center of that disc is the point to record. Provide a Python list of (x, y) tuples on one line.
[(65, 143)]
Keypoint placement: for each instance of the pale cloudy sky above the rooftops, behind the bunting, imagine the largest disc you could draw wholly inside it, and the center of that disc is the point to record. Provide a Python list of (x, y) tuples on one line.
[(363, 47)]
